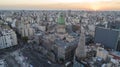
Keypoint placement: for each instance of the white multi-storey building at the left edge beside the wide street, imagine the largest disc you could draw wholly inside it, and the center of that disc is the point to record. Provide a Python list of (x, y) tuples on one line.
[(7, 38)]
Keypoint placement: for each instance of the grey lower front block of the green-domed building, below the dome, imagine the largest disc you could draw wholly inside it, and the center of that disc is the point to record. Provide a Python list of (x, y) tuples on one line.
[(65, 50)]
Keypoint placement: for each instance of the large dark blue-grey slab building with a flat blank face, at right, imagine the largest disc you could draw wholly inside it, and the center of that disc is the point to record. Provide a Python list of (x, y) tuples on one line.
[(107, 37)]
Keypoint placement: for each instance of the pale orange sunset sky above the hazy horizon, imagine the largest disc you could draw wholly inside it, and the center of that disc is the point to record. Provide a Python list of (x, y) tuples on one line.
[(61, 4)]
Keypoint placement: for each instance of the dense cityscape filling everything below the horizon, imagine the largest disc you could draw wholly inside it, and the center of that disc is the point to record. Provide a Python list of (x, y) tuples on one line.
[(59, 38)]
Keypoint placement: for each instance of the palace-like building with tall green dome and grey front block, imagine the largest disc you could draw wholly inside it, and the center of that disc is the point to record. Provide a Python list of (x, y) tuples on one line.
[(64, 44)]
